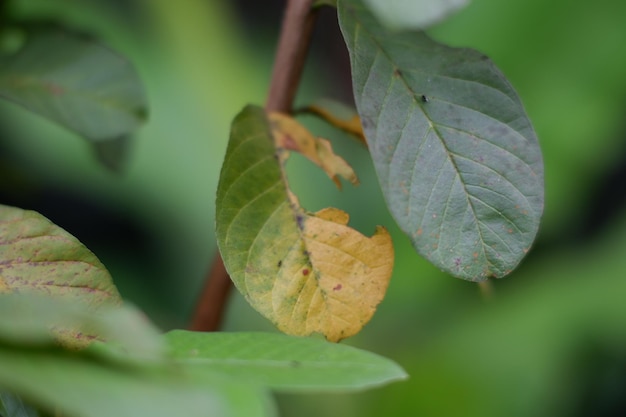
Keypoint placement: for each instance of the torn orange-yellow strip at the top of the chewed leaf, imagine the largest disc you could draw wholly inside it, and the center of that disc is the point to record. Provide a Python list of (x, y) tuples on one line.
[(292, 136)]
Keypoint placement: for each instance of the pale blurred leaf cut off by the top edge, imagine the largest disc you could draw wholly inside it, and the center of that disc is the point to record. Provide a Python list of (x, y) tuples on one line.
[(410, 14)]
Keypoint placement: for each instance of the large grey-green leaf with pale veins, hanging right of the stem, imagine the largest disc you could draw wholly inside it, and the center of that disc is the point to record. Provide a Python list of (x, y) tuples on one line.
[(455, 153)]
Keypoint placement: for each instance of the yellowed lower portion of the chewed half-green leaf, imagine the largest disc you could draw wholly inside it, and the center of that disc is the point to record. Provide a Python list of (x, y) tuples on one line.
[(333, 282)]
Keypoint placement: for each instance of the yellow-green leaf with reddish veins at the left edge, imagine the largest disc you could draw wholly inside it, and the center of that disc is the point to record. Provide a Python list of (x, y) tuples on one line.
[(39, 258)]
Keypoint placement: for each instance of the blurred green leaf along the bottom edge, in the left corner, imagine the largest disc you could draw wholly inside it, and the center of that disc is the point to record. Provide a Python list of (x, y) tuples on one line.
[(79, 387)]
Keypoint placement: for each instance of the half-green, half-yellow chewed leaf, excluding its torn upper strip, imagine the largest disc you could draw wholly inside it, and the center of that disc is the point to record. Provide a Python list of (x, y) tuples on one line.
[(305, 272)]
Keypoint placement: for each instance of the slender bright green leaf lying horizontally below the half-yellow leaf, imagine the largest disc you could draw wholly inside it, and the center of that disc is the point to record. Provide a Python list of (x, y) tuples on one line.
[(281, 362)]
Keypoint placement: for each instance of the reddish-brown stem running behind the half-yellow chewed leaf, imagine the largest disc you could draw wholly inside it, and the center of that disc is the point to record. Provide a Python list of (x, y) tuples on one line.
[(293, 44)]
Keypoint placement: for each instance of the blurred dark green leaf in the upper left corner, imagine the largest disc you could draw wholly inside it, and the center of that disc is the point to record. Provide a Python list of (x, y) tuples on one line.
[(75, 82)]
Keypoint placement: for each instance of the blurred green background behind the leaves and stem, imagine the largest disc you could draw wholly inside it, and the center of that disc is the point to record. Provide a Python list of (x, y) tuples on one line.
[(552, 340)]
